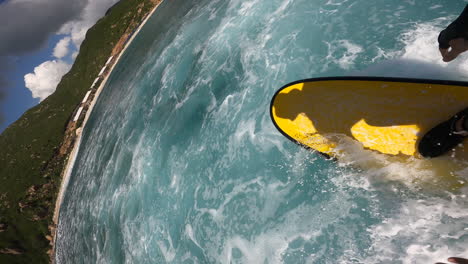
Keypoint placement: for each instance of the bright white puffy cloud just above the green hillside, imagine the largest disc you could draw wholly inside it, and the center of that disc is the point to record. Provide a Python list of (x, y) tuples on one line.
[(45, 78)]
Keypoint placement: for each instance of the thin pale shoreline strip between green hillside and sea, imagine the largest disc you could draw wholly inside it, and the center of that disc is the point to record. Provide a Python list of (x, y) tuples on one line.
[(76, 146)]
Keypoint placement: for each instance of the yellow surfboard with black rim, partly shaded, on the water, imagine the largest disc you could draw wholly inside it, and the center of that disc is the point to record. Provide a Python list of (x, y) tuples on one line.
[(385, 115)]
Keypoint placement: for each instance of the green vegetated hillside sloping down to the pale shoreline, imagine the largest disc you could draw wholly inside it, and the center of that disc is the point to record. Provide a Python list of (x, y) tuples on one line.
[(31, 160)]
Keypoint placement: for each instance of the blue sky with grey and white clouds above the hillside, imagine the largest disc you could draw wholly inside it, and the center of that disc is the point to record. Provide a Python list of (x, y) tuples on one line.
[(50, 21)]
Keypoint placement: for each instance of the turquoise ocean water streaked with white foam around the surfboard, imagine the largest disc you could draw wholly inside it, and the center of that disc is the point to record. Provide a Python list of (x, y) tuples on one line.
[(180, 162)]
